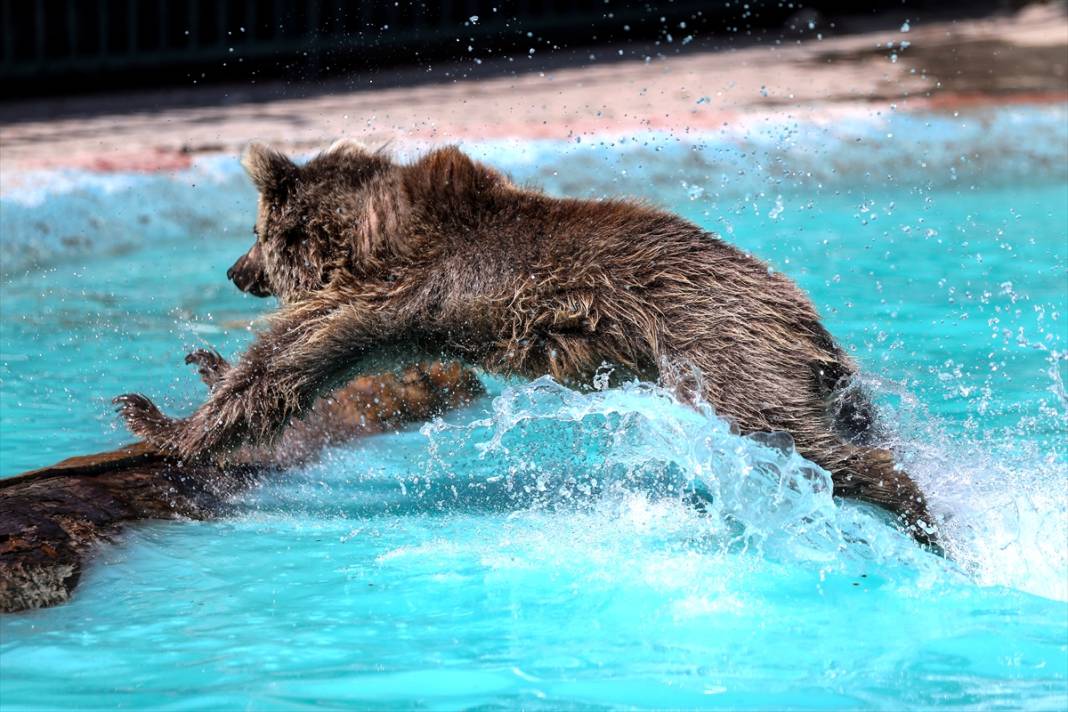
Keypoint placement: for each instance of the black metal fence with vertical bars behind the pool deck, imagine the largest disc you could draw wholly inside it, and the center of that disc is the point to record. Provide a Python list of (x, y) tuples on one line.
[(65, 45)]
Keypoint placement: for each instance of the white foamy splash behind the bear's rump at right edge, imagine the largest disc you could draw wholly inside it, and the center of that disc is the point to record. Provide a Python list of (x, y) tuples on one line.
[(1001, 496)]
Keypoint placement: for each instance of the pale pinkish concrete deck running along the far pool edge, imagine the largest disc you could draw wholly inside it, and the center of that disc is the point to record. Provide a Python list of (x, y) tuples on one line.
[(939, 66)]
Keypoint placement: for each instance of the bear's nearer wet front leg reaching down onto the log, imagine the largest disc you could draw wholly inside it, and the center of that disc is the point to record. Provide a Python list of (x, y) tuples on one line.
[(309, 350)]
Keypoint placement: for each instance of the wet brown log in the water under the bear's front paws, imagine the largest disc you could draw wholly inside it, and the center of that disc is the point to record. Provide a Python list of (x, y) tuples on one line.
[(53, 518)]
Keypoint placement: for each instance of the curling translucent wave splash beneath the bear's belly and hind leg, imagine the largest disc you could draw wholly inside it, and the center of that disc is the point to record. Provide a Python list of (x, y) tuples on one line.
[(635, 454)]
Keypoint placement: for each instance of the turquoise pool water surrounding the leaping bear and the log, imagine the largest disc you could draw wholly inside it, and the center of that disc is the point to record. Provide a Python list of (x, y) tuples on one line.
[(541, 549)]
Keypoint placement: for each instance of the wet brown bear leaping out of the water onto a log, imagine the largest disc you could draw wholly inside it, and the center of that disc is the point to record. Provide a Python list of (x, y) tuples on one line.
[(447, 258)]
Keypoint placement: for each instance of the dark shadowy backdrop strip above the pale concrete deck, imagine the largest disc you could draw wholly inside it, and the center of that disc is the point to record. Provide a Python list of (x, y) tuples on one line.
[(66, 48)]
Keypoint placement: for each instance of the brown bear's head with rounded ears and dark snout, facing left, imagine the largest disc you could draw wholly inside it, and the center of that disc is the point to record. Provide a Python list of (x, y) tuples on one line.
[(308, 218)]
